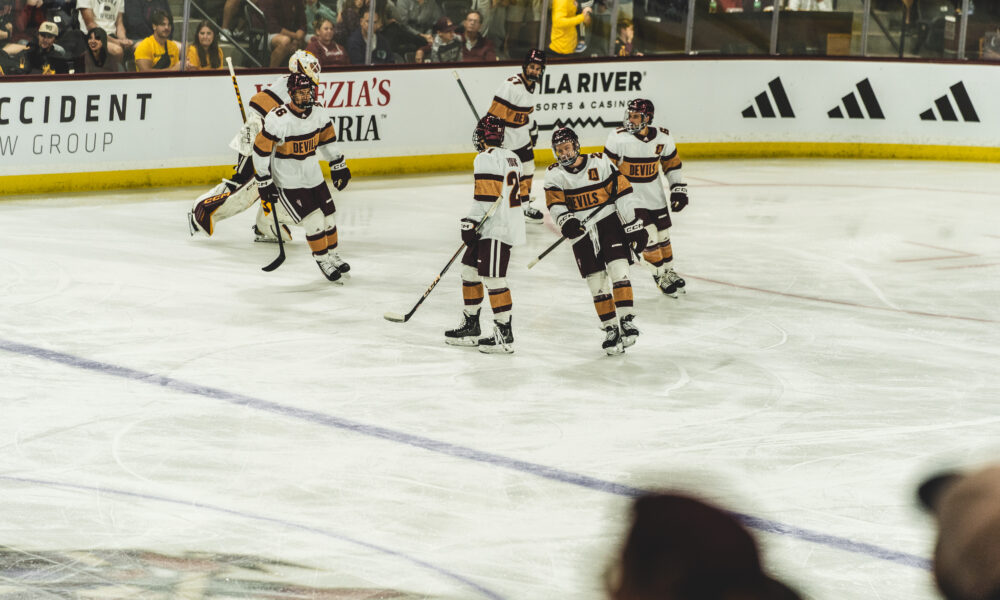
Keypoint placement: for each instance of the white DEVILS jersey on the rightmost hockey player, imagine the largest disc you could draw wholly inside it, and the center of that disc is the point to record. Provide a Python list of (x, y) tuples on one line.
[(640, 159)]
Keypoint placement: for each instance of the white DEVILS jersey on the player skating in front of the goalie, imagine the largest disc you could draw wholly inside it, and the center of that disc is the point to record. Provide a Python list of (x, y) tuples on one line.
[(291, 144)]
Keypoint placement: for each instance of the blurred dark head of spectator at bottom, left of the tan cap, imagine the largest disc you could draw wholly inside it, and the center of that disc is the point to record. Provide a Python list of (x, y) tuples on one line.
[(679, 548)]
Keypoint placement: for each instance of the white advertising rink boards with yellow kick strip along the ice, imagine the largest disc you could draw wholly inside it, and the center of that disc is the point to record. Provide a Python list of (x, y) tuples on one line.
[(88, 133)]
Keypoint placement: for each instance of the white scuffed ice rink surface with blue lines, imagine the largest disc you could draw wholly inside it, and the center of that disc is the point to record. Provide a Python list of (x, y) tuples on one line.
[(176, 423)]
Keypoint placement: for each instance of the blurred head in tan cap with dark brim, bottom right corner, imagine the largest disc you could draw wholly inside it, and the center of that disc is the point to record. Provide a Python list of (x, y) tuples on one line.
[(967, 553)]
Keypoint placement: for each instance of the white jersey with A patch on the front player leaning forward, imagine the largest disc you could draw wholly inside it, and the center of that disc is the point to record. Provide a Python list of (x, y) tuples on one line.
[(594, 186)]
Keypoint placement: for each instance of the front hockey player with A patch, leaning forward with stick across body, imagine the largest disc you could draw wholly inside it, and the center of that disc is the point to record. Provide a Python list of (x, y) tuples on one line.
[(588, 188)]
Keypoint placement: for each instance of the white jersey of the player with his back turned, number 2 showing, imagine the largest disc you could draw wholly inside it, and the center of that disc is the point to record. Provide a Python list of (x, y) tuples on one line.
[(497, 173)]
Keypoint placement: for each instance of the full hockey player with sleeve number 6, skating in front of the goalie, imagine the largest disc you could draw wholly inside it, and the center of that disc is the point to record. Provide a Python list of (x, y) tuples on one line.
[(289, 175)]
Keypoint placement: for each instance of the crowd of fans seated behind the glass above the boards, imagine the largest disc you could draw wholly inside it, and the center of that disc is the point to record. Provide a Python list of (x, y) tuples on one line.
[(104, 36)]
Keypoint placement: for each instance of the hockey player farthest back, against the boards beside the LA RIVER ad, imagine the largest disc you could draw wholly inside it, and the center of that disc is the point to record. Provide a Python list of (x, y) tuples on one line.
[(513, 104)]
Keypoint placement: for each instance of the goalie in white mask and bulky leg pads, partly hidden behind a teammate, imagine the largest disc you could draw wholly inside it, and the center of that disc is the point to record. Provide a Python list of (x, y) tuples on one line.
[(235, 195)]
